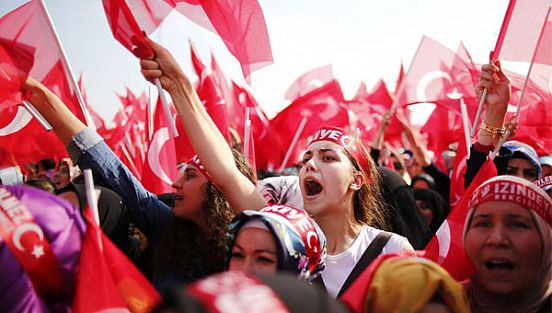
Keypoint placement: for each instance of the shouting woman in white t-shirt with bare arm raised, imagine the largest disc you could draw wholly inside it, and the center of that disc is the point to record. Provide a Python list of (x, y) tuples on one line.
[(338, 179)]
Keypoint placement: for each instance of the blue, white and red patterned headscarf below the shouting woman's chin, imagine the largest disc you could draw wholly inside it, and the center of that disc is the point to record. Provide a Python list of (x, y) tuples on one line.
[(300, 243)]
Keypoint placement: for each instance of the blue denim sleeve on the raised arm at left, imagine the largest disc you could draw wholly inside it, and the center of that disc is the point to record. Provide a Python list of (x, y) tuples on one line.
[(89, 151)]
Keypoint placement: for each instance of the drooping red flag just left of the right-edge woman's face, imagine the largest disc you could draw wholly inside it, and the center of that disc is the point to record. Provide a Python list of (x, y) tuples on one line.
[(446, 247)]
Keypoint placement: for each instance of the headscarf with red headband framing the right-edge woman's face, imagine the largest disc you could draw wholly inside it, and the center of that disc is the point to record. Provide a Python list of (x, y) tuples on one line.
[(520, 191)]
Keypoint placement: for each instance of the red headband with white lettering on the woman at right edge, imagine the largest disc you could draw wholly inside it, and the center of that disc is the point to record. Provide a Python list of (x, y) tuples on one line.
[(517, 190)]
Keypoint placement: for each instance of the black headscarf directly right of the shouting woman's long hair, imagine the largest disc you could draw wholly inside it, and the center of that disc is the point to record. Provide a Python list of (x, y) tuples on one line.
[(403, 216)]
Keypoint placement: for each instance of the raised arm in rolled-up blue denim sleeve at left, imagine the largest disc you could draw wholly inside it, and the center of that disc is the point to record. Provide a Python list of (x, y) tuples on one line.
[(88, 150)]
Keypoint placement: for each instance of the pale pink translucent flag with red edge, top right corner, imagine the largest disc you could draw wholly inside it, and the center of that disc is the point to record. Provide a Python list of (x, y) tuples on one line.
[(519, 35)]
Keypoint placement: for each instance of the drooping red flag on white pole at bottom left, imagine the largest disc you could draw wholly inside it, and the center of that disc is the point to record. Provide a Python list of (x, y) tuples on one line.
[(107, 280)]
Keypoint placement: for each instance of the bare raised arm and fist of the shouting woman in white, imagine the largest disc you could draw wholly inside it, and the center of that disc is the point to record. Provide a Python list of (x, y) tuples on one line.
[(209, 144)]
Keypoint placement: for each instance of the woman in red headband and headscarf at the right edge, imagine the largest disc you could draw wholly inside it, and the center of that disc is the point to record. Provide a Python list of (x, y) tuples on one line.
[(507, 237)]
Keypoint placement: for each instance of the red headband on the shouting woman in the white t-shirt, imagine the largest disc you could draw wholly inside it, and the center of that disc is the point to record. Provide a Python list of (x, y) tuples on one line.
[(348, 142)]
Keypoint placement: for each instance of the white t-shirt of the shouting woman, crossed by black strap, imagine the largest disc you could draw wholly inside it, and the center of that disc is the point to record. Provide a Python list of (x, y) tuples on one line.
[(338, 267)]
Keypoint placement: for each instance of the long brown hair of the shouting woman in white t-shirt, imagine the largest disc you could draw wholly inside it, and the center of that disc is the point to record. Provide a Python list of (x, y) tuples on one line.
[(368, 200)]
